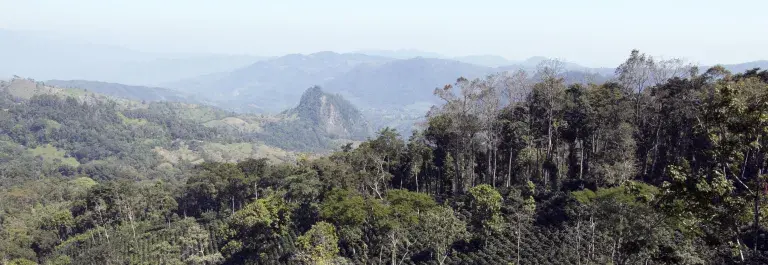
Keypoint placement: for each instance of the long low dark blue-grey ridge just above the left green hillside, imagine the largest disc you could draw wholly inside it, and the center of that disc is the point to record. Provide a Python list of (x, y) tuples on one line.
[(140, 93)]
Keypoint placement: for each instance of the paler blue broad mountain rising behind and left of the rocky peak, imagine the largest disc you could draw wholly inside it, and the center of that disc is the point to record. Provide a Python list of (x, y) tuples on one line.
[(275, 84)]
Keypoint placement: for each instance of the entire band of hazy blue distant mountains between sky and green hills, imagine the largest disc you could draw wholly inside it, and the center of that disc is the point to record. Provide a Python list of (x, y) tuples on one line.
[(390, 87)]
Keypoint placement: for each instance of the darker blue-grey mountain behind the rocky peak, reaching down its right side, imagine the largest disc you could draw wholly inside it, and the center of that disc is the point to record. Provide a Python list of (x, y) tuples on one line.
[(398, 93)]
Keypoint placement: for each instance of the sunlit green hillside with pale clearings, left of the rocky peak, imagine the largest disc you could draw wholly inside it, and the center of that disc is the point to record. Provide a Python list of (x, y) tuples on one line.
[(55, 132)]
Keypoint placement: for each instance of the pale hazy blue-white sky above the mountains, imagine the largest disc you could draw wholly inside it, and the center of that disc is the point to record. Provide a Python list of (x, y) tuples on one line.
[(593, 33)]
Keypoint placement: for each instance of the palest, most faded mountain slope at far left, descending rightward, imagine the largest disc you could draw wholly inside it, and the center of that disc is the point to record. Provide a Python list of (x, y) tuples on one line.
[(44, 56)]
